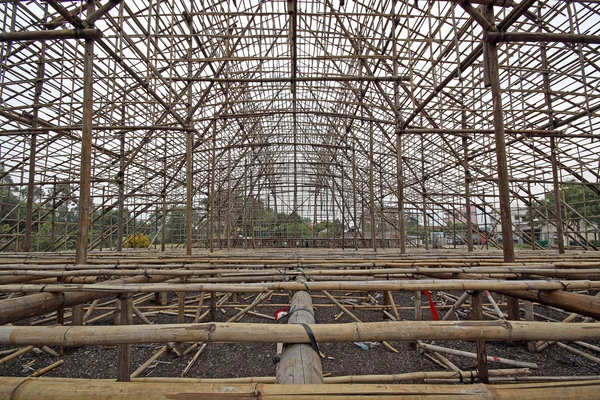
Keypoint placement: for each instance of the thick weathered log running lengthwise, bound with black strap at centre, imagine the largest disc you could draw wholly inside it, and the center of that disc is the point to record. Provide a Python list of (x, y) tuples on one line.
[(300, 363)]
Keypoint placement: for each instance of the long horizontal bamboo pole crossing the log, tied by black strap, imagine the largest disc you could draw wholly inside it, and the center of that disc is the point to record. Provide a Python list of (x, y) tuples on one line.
[(293, 333)]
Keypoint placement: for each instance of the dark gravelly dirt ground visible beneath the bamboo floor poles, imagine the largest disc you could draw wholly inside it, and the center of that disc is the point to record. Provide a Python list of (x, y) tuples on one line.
[(245, 360)]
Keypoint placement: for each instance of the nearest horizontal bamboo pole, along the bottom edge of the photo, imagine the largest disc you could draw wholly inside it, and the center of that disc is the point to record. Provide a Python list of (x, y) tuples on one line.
[(55, 389)]
